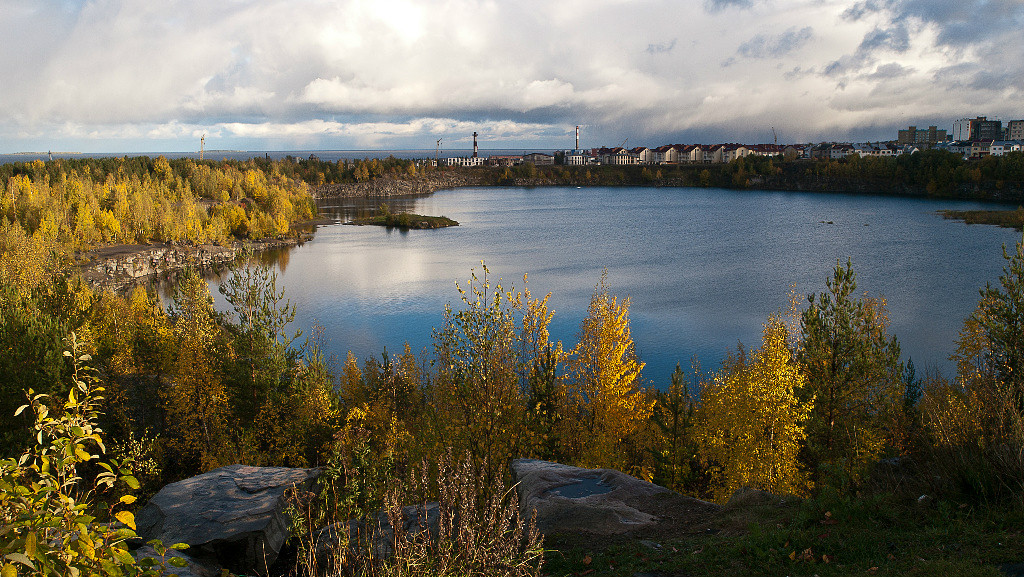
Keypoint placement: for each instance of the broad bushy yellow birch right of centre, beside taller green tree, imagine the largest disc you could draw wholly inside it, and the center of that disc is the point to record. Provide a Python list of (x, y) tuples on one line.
[(750, 422)]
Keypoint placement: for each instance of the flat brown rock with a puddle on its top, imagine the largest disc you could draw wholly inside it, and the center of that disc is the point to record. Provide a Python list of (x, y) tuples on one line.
[(570, 500)]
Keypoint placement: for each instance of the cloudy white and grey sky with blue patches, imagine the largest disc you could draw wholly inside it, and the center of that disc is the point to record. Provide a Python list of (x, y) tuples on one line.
[(145, 76)]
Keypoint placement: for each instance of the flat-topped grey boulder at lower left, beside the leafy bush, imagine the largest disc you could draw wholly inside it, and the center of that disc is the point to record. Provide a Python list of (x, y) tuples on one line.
[(234, 514)]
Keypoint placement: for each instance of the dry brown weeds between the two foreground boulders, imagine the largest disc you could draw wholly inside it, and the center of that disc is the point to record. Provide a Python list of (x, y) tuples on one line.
[(471, 531)]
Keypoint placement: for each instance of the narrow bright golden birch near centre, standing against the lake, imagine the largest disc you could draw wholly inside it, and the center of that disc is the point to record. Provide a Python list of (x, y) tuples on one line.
[(608, 404)]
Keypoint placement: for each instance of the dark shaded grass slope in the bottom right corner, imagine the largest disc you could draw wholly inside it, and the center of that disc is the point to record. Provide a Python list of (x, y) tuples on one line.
[(880, 535)]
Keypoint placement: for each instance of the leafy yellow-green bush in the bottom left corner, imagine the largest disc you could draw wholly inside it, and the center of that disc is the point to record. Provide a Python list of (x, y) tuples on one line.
[(50, 509)]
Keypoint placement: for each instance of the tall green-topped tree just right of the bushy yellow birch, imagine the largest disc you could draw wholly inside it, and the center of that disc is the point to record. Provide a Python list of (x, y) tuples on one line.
[(854, 374)]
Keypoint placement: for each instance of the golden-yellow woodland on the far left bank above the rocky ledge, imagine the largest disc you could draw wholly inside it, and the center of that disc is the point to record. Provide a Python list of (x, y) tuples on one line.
[(82, 203)]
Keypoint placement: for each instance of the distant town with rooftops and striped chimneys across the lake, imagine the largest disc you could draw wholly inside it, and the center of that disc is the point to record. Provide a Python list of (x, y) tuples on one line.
[(971, 138)]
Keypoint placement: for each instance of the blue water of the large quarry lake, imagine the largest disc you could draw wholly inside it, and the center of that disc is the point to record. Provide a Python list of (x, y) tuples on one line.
[(704, 268)]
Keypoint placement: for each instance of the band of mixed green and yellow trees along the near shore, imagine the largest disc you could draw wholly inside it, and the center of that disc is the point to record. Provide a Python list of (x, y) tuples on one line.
[(816, 405)]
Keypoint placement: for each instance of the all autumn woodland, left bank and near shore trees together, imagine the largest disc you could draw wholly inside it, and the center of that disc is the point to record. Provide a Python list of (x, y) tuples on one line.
[(167, 393)]
